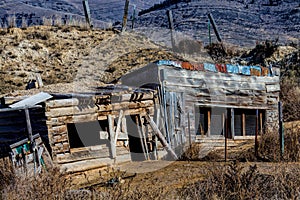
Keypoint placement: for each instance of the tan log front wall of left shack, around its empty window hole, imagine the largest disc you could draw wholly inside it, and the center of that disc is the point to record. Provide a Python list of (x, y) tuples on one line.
[(60, 112)]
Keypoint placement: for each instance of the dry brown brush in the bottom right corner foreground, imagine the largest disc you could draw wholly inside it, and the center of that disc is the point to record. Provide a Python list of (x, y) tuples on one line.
[(236, 182)]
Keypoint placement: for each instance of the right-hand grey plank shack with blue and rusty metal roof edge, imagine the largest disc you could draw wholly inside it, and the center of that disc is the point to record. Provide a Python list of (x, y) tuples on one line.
[(205, 100)]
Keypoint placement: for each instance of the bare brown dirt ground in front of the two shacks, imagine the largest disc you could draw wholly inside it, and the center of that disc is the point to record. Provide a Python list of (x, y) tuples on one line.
[(169, 177)]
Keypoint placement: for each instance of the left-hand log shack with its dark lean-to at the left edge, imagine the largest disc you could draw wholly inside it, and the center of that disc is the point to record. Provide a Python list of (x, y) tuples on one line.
[(85, 131)]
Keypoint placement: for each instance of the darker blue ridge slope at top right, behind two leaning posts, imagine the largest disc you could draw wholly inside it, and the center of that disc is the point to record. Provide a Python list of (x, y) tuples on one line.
[(240, 22)]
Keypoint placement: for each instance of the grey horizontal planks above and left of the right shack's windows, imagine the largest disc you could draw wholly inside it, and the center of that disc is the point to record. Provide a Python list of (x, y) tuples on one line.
[(220, 89)]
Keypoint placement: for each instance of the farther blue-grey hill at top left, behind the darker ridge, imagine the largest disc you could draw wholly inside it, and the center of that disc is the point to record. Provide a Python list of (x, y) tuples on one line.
[(103, 12)]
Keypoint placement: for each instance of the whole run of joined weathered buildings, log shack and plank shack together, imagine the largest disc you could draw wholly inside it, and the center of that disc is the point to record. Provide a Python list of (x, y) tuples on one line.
[(167, 101)]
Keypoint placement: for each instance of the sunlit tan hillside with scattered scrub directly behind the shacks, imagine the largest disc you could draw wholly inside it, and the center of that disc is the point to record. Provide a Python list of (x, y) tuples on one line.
[(74, 55)]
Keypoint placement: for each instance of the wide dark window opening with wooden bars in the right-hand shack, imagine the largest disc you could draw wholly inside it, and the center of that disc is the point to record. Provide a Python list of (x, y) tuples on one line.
[(241, 122)]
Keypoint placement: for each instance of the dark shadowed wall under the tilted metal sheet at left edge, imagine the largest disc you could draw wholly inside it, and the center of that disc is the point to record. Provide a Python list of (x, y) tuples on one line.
[(13, 127)]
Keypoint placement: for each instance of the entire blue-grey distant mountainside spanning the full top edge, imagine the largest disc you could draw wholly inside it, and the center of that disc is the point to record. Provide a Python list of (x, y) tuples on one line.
[(240, 22)]
